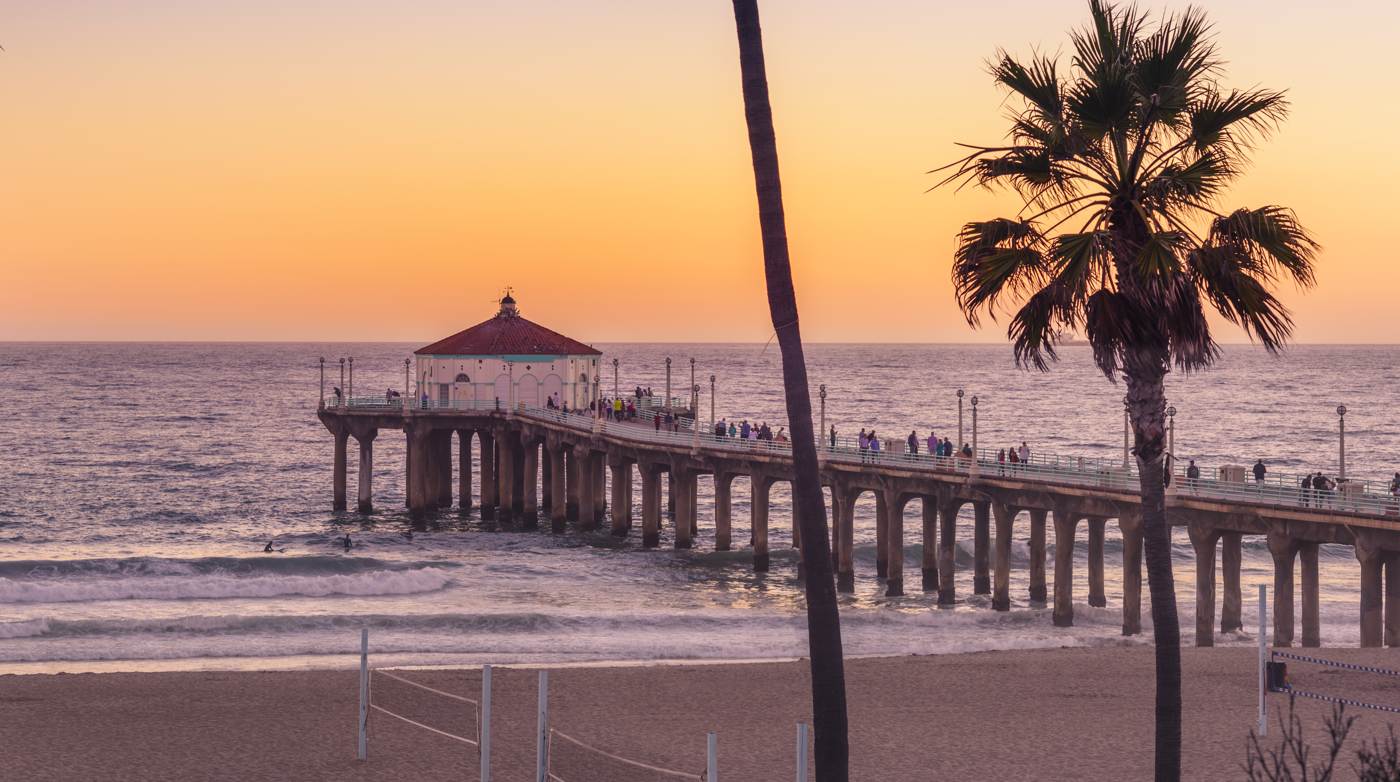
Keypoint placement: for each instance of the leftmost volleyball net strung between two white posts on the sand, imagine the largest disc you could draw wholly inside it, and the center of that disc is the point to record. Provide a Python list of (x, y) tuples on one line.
[(450, 716)]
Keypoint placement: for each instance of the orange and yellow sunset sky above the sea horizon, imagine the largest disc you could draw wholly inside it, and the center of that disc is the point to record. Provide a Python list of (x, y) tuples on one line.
[(286, 170)]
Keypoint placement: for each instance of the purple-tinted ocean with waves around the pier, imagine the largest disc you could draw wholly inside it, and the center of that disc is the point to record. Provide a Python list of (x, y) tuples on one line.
[(143, 481)]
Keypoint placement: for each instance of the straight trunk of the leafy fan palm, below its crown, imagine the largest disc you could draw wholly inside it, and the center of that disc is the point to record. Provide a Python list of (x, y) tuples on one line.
[(1147, 409)]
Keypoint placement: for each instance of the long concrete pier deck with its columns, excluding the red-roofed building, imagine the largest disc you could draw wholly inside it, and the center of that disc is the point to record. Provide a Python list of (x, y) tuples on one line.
[(545, 462)]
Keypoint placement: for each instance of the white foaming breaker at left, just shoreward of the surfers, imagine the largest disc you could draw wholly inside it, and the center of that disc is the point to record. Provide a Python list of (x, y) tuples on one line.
[(219, 587)]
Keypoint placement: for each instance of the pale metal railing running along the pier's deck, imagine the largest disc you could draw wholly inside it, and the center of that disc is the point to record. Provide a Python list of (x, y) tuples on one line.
[(1279, 490)]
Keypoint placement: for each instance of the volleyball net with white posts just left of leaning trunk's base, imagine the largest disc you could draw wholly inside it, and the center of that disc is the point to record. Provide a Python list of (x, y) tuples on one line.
[(562, 758)]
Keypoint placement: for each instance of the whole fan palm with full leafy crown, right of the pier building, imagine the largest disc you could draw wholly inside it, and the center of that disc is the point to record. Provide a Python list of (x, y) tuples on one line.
[(1121, 162)]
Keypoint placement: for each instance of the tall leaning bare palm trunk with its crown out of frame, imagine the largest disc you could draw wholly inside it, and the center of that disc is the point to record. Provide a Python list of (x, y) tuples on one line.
[(824, 625)]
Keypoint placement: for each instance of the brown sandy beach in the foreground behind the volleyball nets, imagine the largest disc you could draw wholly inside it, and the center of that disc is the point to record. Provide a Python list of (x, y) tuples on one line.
[(1063, 714)]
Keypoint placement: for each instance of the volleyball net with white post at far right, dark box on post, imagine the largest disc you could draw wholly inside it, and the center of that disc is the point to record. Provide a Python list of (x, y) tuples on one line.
[(1276, 678)]
